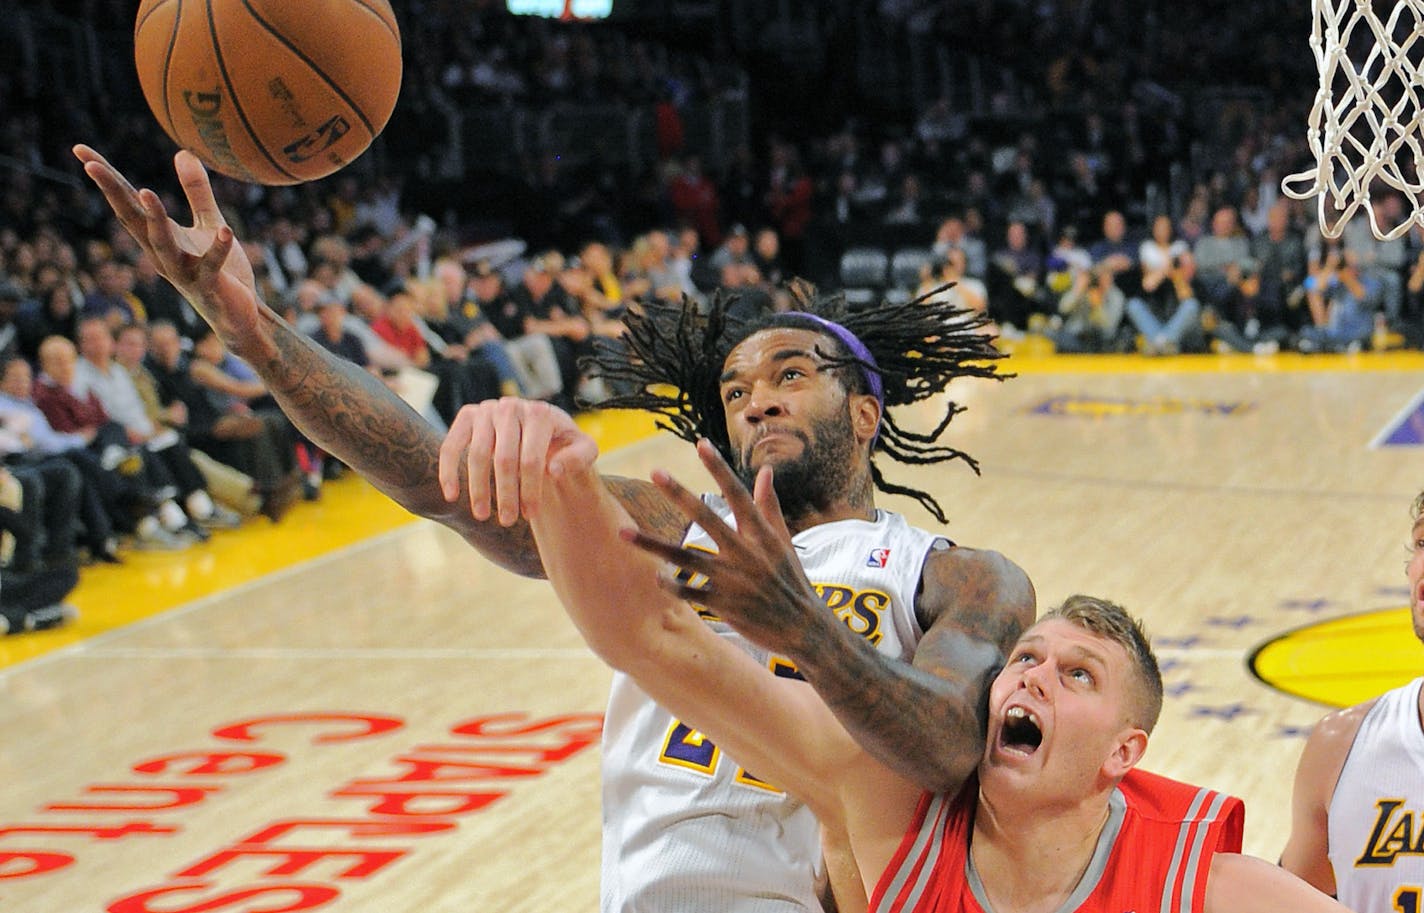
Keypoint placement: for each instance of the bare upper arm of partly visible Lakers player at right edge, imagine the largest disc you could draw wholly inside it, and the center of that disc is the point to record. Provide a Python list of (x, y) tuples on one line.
[(1307, 851)]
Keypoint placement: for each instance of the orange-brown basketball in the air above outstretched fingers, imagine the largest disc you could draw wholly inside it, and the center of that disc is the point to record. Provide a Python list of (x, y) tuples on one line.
[(271, 92)]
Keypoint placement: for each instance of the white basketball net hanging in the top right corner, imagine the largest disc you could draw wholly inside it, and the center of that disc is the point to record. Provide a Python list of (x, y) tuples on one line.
[(1366, 122)]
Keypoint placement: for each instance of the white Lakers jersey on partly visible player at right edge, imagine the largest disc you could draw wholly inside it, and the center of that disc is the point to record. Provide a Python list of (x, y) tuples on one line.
[(1376, 831)]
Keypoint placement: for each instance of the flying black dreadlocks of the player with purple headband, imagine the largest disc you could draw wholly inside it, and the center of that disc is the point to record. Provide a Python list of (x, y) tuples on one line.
[(671, 357)]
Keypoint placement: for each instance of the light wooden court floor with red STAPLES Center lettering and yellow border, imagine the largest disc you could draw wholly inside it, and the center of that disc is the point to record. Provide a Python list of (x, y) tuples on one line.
[(352, 711)]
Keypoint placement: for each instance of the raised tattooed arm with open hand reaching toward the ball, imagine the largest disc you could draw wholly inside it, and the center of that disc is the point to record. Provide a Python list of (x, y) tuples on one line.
[(340, 407)]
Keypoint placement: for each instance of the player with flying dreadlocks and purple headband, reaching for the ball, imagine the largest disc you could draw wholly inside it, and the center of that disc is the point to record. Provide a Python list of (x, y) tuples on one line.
[(686, 828)]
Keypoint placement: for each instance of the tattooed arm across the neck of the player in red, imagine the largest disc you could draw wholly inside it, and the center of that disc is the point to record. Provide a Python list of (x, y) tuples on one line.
[(925, 721)]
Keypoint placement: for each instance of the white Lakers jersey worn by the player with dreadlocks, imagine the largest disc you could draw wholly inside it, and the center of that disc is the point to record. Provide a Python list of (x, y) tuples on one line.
[(686, 828)]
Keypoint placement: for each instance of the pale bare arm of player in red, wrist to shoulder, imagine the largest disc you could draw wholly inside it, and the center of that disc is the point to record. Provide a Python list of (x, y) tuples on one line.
[(775, 727)]
